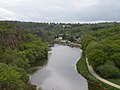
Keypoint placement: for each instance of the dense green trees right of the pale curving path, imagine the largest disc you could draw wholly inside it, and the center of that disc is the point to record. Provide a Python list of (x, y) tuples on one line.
[(103, 49)]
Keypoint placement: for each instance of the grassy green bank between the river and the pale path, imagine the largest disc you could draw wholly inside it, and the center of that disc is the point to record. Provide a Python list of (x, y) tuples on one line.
[(93, 83)]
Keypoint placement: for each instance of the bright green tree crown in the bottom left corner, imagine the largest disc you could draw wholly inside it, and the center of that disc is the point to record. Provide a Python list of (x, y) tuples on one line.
[(10, 79)]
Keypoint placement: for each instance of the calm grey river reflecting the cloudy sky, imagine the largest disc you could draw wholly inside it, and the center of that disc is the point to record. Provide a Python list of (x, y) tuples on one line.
[(60, 72)]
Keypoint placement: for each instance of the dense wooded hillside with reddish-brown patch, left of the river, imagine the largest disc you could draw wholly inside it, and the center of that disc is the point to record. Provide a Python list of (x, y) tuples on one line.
[(18, 50)]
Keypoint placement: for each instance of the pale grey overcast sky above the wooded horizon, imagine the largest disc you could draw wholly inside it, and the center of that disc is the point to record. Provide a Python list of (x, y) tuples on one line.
[(60, 10)]
